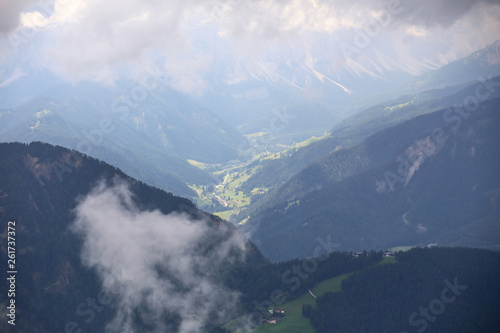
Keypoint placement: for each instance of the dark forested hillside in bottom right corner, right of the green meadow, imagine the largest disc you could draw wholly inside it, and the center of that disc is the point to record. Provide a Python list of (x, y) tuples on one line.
[(428, 290)]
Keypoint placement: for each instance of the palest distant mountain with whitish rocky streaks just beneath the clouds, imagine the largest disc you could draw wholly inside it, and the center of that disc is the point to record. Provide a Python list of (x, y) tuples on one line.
[(318, 93)]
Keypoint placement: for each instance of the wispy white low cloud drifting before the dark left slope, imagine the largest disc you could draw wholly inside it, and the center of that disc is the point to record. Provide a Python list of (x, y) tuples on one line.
[(157, 264)]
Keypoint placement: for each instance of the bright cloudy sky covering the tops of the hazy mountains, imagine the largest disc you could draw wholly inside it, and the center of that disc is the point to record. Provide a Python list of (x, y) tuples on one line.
[(101, 40)]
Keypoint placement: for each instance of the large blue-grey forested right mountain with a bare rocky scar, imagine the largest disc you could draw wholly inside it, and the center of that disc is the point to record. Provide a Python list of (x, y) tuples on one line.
[(405, 185)]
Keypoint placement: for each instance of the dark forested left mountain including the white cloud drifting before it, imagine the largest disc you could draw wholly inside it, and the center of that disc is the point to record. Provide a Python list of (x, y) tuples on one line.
[(98, 251)]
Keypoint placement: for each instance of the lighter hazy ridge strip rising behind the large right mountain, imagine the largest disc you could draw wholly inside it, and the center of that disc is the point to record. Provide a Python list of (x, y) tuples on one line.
[(359, 127)]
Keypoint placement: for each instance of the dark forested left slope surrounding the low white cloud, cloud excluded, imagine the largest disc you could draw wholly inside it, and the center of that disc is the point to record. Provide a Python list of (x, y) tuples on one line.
[(40, 185)]
